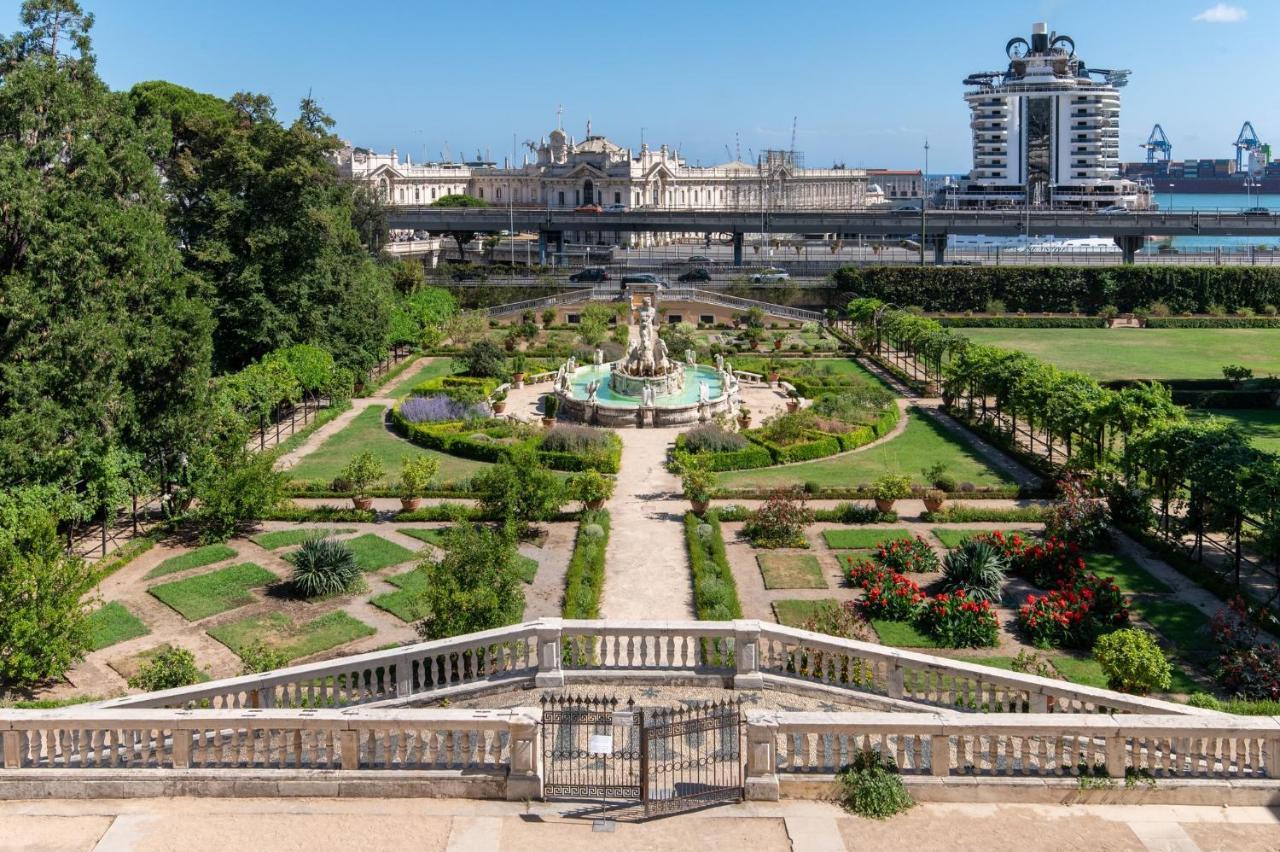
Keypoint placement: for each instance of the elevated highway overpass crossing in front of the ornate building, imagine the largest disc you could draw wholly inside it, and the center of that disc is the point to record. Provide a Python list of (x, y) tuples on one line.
[(1128, 230)]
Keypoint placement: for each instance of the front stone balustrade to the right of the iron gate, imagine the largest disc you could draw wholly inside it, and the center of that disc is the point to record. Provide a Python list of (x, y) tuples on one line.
[(790, 746)]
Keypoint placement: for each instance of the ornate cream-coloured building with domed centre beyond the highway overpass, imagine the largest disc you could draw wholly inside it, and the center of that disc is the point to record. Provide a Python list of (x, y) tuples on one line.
[(598, 172)]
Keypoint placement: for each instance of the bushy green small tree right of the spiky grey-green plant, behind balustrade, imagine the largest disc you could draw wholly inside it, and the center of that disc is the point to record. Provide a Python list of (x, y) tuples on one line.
[(474, 587)]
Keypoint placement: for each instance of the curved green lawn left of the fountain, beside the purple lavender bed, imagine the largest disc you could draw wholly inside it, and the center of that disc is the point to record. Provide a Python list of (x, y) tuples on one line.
[(368, 433)]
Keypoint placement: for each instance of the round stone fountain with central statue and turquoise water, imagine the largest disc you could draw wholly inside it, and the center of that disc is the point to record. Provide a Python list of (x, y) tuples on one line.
[(646, 388)]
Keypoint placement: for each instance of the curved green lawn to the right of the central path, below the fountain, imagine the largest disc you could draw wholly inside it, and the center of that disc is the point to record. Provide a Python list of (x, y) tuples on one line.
[(924, 445)]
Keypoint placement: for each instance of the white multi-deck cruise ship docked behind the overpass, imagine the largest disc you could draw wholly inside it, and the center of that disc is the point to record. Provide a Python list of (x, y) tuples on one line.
[(1046, 131)]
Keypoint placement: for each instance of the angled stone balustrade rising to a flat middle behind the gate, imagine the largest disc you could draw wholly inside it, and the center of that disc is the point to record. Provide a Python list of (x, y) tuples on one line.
[(744, 654)]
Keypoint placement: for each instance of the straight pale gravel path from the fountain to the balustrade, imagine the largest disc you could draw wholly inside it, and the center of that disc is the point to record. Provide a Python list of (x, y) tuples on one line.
[(647, 574)]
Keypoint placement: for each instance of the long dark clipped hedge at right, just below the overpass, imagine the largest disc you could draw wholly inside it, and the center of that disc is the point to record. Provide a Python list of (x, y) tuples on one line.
[(1066, 290)]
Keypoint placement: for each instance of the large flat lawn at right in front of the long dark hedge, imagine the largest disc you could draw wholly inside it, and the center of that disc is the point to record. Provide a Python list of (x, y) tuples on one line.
[(1144, 354)]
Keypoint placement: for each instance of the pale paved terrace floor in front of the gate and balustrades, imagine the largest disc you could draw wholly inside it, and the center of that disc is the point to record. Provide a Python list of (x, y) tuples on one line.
[(456, 826)]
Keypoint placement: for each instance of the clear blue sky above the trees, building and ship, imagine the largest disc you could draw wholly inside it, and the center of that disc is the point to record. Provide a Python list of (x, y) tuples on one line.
[(866, 83)]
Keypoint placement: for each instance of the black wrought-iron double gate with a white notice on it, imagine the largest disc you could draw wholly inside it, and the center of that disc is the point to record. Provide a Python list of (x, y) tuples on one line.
[(669, 761)]
